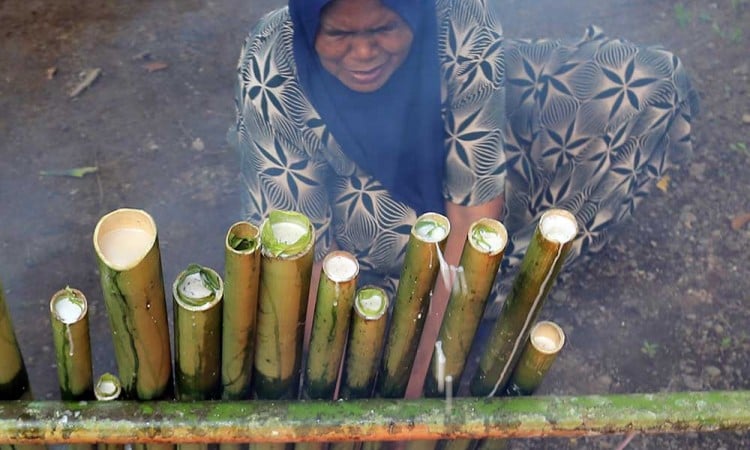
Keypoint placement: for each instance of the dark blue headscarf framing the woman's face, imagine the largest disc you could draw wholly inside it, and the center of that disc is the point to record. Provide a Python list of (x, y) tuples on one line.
[(396, 133)]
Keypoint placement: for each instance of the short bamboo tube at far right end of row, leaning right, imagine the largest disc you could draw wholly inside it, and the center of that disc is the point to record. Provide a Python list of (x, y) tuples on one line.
[(545, 342)]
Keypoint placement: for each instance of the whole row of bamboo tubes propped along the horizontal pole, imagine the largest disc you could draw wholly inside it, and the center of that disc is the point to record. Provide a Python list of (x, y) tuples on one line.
[(241, 336)]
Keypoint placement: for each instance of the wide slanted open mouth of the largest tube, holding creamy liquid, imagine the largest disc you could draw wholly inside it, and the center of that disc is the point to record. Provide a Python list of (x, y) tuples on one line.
[(124, 237)]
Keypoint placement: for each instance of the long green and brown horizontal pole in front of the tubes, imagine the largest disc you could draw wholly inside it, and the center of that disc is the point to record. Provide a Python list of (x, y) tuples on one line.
[(374, 419)]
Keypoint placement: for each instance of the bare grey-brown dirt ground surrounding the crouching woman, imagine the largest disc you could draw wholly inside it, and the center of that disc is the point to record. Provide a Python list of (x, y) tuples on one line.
[(664, 308)]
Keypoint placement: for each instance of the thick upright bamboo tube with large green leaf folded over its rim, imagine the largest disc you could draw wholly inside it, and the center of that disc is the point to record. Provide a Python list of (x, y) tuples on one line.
[(287, 240)]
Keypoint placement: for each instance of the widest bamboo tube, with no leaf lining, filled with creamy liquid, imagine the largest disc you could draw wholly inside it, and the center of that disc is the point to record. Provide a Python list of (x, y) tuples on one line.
[(127, 249)]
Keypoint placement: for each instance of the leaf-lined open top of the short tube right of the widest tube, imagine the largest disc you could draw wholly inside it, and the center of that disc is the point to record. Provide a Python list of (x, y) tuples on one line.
[(198, 288)]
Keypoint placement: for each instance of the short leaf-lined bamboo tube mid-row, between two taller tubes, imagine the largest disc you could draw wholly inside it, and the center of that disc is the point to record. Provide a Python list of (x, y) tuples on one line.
[(365, 346)]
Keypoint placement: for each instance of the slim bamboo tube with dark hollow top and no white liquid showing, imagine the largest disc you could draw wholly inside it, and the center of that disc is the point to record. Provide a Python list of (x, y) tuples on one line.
[(241, 277)]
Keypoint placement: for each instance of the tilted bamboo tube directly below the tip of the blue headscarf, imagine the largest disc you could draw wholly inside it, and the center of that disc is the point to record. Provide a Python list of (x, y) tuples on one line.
[(421, 265)]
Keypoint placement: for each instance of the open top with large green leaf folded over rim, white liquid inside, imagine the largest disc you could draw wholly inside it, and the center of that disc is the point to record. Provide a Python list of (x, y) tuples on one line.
[(286, 234)]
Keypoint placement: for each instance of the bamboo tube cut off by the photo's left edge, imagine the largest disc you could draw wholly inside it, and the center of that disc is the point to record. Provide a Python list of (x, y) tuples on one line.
[(14, 381)]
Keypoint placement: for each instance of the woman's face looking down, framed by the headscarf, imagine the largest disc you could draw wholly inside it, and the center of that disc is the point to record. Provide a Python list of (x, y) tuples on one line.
[(362, 43)]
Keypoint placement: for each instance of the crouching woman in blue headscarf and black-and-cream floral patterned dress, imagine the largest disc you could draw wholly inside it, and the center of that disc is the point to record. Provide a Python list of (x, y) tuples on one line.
[(363, 114)]
